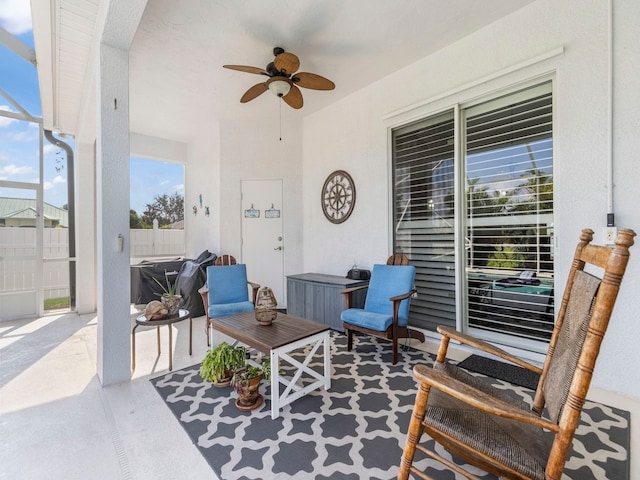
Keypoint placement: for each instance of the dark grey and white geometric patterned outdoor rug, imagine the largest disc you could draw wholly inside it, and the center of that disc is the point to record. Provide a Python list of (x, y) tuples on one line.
[(357, 429)]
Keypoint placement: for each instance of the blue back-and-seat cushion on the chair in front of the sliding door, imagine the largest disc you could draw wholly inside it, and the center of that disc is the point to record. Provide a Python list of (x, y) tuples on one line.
[(386, 281)]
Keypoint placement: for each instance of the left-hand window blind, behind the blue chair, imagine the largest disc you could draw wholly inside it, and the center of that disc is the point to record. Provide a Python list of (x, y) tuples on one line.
[(424, 212)]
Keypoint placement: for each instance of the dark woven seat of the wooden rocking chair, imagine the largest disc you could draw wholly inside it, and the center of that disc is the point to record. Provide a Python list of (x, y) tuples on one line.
[(523, 447)]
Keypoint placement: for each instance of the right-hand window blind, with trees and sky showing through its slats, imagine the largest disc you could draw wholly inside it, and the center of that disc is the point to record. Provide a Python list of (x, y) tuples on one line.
[(509, 214)]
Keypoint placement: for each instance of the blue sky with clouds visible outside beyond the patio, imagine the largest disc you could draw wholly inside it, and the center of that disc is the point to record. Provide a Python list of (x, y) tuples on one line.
[(19, 139)]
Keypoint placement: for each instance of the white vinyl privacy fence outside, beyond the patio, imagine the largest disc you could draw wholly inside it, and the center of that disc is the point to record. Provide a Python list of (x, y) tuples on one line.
[(17, 256)]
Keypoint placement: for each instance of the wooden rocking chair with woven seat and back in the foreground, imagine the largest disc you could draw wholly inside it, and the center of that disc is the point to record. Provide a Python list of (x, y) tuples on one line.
[(487, 428)]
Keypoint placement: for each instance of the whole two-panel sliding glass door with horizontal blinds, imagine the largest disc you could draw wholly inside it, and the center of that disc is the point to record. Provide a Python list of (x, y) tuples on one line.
[(484, 250)]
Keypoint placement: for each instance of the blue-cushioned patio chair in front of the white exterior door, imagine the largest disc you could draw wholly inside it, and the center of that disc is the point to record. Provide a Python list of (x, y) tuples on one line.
[(226, 292)]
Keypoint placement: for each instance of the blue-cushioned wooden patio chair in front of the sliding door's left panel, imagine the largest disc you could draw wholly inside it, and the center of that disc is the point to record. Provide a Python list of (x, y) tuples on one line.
[(386, 308)]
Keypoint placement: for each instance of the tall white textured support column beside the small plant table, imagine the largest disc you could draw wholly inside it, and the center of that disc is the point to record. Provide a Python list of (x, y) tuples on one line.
[(112, 185)]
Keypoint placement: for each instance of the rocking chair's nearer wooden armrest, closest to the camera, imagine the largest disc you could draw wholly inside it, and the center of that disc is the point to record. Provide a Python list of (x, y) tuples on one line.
[(479, 399)]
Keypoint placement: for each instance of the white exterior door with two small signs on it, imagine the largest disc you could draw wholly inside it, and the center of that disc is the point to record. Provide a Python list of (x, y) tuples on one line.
[(262, 234)]
